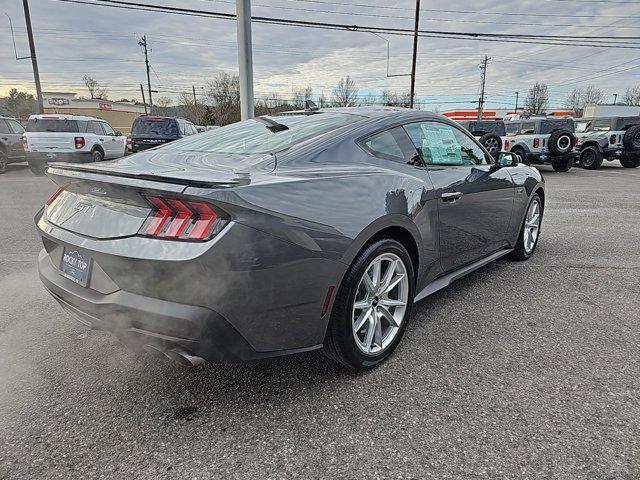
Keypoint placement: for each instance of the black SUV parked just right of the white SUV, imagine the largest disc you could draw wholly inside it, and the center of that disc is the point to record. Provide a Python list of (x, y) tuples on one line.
[(150, 131)]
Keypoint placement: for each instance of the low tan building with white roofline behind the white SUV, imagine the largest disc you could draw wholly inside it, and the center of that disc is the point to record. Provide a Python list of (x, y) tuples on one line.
[(120, 115)]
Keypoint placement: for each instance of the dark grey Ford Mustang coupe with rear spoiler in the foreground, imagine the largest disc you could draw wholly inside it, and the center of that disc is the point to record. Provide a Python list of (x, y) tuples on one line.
[(308, 230)]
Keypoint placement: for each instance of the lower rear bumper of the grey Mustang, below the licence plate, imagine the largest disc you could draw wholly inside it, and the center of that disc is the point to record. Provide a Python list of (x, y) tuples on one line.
[(141, 321)]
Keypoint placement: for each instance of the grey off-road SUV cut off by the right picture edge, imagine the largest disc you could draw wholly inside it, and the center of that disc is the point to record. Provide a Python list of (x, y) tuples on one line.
[(613, 138)]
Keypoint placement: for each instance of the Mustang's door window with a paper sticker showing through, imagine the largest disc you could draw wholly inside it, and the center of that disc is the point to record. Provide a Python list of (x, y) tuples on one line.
[(442, 144)]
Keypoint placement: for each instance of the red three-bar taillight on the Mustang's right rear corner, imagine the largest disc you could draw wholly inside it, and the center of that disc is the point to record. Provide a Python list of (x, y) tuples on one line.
[(181, 219)]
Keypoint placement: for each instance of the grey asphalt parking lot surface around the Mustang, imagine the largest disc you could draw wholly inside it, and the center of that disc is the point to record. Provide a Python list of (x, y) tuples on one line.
[(521, 370)]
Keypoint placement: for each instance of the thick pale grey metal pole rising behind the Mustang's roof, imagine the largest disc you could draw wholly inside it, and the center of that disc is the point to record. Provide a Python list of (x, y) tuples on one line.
[(245, 58)]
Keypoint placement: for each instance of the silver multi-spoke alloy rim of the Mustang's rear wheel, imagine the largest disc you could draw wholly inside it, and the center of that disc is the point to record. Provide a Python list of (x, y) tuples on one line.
[(380, 304)]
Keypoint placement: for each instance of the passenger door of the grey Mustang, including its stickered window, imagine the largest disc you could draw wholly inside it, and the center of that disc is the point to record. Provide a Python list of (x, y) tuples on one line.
[(474, 198)]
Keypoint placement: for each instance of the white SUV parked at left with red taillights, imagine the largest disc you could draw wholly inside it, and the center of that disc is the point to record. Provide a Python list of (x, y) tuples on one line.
[(70, 138)]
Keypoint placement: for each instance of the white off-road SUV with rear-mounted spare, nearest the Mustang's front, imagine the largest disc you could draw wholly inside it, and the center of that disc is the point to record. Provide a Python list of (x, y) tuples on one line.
[(542, 140)]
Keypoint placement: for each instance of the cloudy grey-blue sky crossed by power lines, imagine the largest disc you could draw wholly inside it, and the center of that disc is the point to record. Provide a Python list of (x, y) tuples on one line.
[(75, 39)]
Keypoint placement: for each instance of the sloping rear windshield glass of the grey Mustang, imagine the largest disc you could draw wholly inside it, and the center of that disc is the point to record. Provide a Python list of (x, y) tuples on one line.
[(254, 136)]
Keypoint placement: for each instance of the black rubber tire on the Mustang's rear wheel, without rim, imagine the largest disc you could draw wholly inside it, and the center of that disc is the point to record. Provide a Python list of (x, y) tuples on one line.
[(339, 342)]
